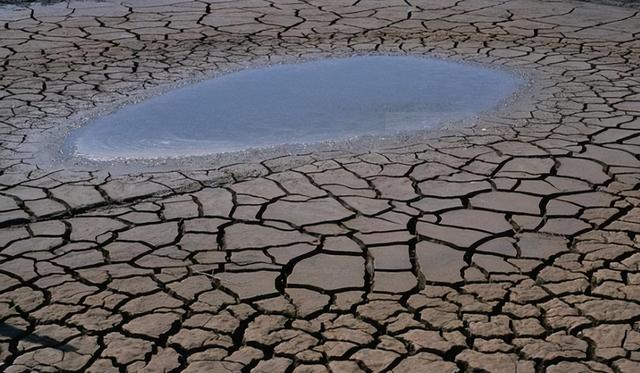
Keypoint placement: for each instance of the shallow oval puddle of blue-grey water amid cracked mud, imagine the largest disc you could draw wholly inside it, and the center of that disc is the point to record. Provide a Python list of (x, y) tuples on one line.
[(325, 100)]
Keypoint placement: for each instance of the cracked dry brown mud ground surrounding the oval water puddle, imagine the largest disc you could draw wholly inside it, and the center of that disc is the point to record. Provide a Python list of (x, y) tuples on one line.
[(512, 246)]
